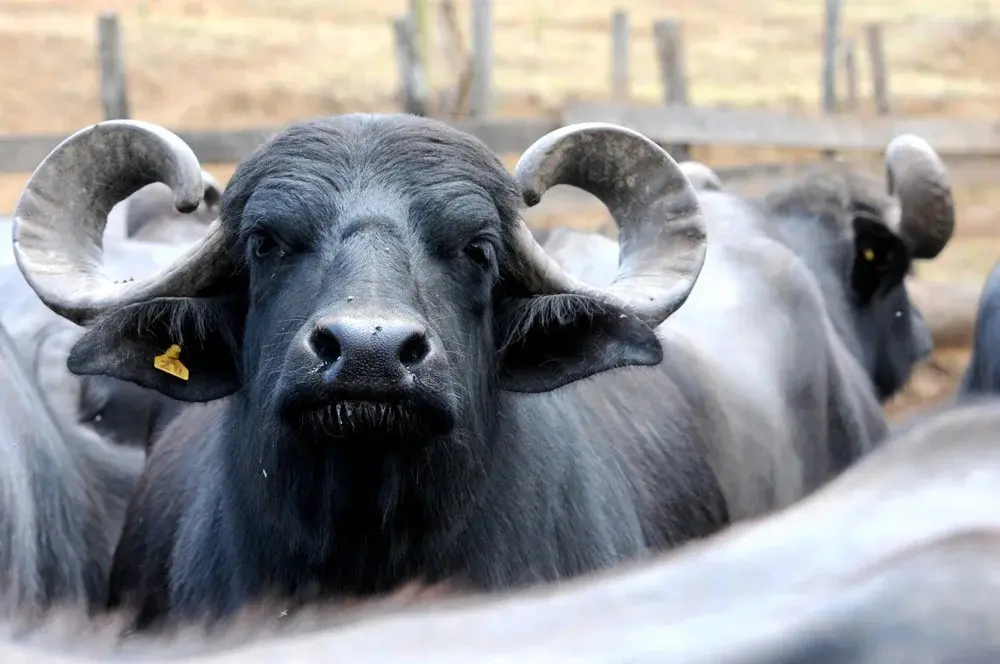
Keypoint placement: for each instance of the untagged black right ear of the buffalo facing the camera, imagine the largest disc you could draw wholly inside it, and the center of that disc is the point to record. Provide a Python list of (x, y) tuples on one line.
[(549, 341)]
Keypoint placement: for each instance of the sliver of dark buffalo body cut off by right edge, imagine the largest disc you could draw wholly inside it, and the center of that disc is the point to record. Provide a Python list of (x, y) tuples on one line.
[(982, 375)]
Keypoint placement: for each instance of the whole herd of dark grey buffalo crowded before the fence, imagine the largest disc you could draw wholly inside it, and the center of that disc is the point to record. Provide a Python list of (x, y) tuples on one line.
[(352, 406)]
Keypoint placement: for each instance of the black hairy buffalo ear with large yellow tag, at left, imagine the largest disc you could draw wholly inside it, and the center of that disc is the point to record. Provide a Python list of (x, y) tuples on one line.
[(134, 344)]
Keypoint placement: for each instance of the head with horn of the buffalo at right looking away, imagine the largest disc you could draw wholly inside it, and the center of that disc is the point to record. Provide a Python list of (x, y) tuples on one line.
[(869, 234)]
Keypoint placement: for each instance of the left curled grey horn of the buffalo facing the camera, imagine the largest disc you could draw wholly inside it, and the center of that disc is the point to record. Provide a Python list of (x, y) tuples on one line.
[(59, 221)]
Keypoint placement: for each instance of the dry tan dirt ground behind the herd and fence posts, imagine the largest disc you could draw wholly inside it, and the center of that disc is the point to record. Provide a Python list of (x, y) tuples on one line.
[(243, 63)]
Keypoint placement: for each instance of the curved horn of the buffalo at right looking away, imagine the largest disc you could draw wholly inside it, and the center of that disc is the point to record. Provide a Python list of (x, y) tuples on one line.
[(917, 178)]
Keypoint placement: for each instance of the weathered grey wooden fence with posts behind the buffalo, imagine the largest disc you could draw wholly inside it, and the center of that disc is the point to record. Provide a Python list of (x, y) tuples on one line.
[(675, 124)]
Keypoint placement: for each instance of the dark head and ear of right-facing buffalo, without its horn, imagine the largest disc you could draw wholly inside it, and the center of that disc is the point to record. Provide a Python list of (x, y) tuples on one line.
[(835, 220)]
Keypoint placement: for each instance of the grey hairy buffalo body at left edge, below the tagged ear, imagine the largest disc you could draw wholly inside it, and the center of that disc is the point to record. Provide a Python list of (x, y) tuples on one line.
[(63, 495)]
